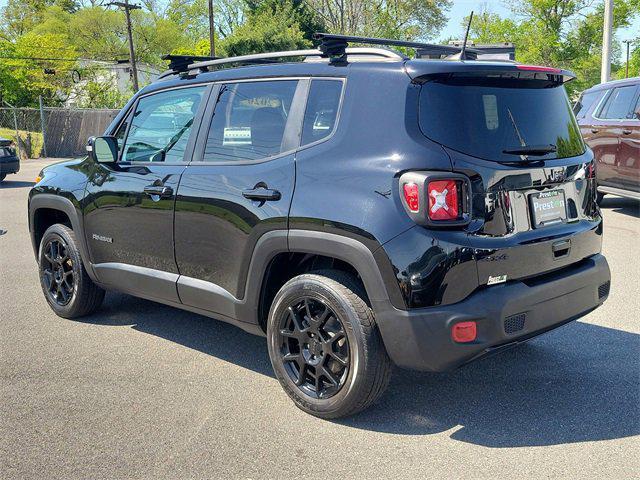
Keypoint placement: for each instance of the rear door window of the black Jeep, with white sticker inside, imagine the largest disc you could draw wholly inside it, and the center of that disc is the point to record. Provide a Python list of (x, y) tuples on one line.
[(249, 121)]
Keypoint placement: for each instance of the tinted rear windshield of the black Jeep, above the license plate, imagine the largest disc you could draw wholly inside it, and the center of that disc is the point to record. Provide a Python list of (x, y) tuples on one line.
[(484, 116)]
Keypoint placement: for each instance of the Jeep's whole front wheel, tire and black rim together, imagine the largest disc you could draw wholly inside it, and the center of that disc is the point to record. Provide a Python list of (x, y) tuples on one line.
[(64, 280)]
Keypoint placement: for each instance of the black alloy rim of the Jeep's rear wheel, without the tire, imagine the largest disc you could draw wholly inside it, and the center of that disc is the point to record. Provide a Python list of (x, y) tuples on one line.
[(314, 348)]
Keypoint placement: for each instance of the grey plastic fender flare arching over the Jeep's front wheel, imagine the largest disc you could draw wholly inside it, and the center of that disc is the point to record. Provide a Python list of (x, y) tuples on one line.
[(62, 204)]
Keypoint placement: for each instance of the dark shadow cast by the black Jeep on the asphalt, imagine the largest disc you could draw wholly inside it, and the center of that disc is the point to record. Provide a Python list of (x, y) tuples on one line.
[(578, 383)]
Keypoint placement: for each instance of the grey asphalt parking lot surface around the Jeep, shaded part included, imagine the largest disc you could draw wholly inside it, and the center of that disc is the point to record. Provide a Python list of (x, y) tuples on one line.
[(141, 390)]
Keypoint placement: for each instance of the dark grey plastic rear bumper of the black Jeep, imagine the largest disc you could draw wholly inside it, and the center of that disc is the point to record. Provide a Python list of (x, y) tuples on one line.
[(506, 315)]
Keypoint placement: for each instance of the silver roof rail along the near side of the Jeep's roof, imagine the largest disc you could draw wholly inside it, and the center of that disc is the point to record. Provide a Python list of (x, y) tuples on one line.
[(190, 65)]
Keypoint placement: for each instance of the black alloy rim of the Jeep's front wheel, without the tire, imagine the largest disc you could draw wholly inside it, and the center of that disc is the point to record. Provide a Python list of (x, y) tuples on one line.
[(57, 271)]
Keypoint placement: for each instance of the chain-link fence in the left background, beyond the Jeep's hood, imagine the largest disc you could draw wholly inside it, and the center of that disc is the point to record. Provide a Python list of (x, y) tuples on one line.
[(52, 132)]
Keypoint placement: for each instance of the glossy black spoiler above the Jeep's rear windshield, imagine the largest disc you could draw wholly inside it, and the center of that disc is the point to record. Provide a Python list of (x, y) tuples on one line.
[(423, 70)]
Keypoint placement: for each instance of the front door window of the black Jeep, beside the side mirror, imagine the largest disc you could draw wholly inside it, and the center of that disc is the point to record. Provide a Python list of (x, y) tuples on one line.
[(161, 125)]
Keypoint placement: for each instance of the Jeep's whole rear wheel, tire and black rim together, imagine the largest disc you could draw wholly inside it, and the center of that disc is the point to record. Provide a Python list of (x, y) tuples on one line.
[(347, 334)]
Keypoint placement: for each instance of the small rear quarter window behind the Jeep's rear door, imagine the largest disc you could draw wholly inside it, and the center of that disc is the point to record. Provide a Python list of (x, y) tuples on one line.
[(322, 110)]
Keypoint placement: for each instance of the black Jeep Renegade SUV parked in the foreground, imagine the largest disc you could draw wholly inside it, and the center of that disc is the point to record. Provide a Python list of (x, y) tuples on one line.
[(359, 210)]
